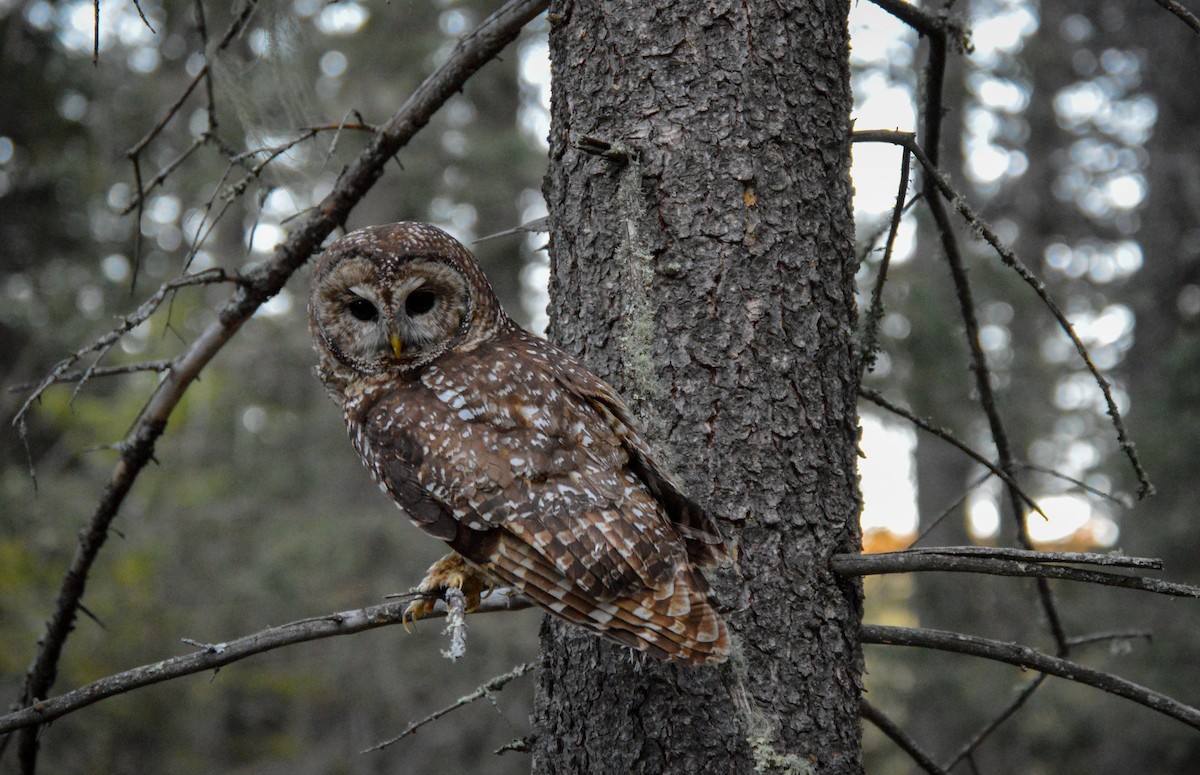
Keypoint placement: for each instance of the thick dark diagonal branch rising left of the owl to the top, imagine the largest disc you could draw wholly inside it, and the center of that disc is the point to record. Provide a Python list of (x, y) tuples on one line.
[(260, 285)]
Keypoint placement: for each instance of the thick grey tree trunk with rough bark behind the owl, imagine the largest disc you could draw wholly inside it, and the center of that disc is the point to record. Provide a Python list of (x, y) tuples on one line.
[(705, 266)]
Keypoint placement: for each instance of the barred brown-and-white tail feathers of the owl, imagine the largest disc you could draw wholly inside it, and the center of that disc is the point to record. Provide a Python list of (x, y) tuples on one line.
[(675, 621)]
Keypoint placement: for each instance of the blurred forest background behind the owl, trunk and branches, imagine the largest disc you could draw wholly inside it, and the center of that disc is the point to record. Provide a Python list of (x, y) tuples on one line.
[(1073, 128)]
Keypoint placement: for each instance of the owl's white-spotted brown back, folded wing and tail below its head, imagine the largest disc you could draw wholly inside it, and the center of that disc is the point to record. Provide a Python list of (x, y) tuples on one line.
[(544, 485)]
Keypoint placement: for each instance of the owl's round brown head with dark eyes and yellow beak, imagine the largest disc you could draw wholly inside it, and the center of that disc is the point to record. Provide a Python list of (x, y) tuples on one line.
[(393, 298)]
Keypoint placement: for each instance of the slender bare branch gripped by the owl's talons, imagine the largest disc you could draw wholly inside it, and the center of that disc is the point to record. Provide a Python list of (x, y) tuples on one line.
[(213, 657)]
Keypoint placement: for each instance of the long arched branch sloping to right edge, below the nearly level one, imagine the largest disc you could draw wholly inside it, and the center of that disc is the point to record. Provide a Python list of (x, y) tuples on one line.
[(1030, 659)]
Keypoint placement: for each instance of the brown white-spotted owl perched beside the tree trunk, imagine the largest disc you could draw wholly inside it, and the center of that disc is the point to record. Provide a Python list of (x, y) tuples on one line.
[(508, 449)]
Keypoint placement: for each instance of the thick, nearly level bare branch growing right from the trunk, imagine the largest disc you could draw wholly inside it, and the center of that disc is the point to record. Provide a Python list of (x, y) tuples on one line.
[(926, 561)]
